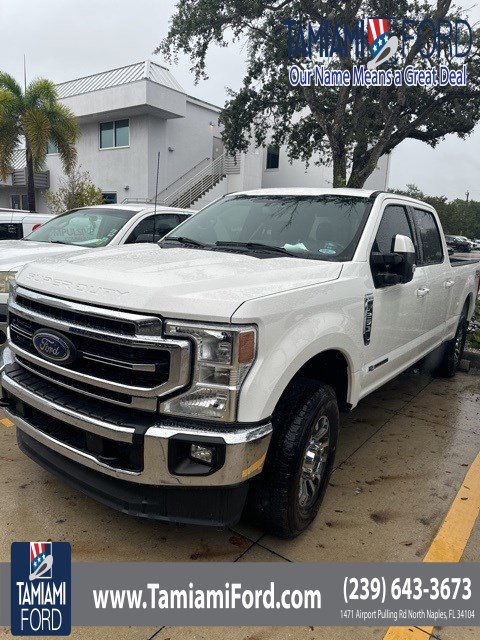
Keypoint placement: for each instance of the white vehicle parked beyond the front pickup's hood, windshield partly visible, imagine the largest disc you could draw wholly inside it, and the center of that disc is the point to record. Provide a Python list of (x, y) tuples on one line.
[(81, 230)]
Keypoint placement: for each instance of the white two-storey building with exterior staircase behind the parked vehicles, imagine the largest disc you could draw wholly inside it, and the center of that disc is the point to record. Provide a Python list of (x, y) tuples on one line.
[(128, 116)]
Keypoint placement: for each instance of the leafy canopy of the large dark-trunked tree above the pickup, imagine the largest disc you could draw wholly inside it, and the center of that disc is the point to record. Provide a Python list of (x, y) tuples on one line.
[(347, 127)]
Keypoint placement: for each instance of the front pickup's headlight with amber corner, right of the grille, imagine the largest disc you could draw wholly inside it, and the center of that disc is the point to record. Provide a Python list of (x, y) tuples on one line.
[(223, 357)]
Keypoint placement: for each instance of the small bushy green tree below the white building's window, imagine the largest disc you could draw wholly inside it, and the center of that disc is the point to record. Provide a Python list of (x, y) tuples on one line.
[(77, 190)]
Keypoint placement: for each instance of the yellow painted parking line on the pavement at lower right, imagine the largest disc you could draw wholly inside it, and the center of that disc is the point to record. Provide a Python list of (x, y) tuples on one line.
[(450, 541)]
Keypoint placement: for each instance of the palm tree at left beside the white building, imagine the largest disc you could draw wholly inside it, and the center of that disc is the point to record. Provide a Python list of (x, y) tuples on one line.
[(36, 117)]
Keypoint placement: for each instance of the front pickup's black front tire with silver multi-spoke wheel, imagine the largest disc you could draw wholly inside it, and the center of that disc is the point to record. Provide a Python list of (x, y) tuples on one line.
[(274, 500)]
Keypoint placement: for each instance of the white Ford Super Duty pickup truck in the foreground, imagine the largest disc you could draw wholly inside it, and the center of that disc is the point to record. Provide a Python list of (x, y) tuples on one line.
[(187, 380)]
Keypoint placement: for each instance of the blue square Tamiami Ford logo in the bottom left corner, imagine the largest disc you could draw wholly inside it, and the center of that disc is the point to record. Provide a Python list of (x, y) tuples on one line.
[(40, 589)]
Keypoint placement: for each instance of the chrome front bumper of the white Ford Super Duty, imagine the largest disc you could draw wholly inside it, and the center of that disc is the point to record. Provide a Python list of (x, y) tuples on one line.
[(245, 448)]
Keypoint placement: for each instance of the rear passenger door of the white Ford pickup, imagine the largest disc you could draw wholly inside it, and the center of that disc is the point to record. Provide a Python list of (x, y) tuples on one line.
[(440, 280)]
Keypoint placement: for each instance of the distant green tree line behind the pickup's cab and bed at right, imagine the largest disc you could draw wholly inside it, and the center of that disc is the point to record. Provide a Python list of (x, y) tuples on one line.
[(458, 217)]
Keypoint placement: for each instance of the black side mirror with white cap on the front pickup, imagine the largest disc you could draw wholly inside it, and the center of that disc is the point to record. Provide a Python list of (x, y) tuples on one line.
[(397, 267)]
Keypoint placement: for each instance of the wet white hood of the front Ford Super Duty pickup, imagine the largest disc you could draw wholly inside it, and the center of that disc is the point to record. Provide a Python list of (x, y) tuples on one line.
[(174, 282)]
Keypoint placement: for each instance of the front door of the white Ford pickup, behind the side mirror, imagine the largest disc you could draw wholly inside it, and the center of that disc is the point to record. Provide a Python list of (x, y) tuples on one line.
[(398, 310)]
